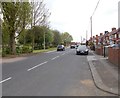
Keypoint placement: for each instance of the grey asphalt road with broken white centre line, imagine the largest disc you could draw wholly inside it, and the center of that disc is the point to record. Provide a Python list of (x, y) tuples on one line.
[(50, 74)]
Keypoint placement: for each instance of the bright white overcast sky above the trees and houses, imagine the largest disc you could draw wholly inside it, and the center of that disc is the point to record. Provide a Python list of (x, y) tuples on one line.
[(73, 16)]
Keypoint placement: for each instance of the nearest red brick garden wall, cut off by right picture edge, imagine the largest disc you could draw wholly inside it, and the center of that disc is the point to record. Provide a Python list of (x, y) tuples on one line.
[(114, 56)]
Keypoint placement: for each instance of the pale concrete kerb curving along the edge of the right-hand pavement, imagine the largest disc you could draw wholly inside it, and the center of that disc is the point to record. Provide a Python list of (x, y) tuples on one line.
[(97, 79)]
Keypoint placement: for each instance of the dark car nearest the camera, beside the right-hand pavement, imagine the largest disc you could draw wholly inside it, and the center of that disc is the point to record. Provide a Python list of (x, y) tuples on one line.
[(82, 49)]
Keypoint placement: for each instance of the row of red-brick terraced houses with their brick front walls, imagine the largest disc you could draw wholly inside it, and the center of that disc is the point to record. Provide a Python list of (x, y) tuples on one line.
[(108, 45)]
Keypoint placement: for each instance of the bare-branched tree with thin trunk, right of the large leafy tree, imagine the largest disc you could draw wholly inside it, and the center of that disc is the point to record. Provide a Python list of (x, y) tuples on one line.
[(39, 15)]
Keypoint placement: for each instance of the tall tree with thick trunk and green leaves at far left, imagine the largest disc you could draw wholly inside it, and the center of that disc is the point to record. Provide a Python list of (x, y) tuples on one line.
[(16, 16)]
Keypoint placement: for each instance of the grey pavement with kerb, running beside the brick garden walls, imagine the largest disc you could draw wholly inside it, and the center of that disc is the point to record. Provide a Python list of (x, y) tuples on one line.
[(104, 73)]
